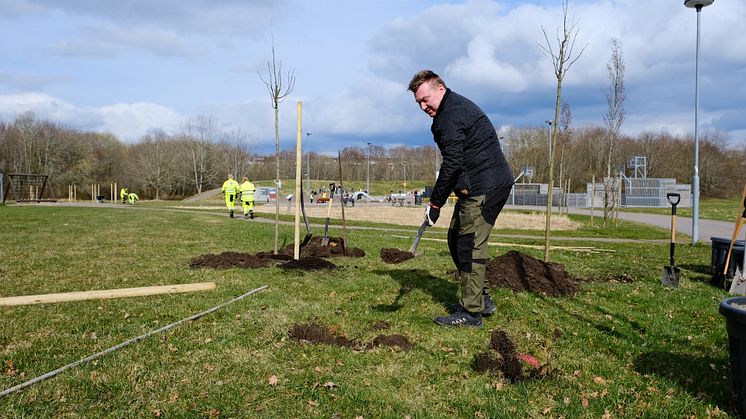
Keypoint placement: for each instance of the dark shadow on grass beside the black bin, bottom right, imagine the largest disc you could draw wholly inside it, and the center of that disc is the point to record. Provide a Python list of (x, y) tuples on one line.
[(706, 378)]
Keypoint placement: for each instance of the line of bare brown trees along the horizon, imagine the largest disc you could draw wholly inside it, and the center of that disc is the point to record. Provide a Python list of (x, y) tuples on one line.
[(199, 156)]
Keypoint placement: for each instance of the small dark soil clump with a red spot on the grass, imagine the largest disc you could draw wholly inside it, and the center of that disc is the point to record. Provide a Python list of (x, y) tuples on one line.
[(514, 366)]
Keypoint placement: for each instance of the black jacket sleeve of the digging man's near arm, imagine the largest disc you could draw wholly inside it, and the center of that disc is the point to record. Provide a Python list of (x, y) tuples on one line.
[(450, 139)]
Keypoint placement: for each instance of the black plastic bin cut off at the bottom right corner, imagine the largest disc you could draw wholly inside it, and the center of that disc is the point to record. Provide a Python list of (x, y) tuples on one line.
[(734, 311)]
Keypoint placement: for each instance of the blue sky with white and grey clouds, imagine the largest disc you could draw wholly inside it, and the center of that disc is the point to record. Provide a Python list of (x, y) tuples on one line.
[(133, 67)]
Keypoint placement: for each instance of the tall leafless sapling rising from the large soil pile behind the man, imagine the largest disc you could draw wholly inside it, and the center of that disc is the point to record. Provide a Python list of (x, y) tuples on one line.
[(563, 58)]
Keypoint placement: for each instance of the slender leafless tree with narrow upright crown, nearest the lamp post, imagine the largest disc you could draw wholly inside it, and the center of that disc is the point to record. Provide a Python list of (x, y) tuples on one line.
[(613, 120)]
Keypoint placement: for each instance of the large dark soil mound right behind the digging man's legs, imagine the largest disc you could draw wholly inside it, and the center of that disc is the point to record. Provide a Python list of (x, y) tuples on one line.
[(521, 272)]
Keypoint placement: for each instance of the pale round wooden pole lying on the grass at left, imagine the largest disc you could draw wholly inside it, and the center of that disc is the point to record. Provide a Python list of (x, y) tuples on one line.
[(105, 294)]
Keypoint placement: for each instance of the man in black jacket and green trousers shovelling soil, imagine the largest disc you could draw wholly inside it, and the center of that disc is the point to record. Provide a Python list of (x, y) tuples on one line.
[(475, 169)]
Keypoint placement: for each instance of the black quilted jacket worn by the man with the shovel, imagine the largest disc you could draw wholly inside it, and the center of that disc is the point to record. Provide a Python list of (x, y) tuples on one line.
[(472, 158)]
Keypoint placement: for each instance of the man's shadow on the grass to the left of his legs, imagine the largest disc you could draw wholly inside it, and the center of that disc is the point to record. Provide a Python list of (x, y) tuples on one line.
[(441, 290)]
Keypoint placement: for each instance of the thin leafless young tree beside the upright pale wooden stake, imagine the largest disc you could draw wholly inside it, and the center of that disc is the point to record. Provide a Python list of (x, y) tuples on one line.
[(279, 86)]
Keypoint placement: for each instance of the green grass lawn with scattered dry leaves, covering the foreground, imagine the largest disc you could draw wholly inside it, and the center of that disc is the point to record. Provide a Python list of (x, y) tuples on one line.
[(617, 349)]
